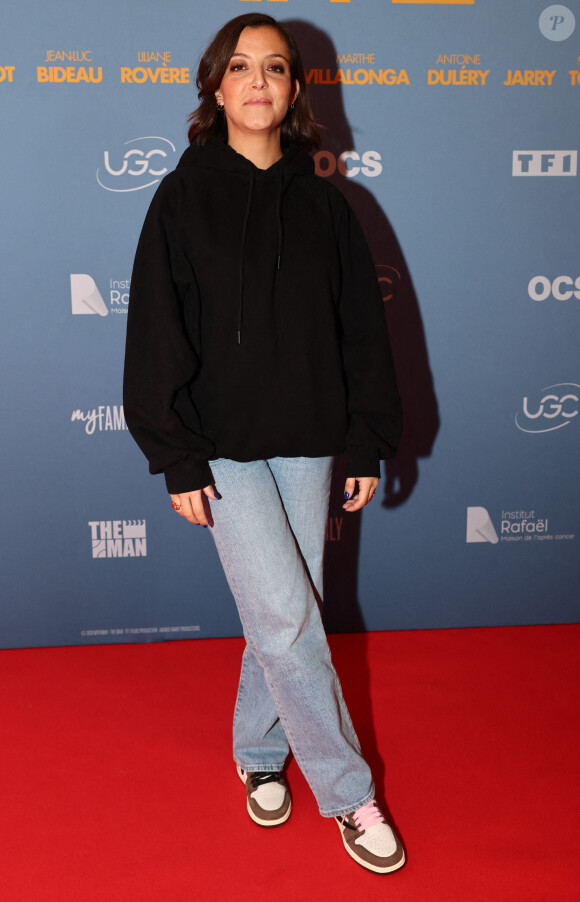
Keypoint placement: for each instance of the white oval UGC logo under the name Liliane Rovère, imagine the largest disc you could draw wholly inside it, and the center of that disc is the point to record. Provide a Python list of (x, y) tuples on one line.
[(141, 166)]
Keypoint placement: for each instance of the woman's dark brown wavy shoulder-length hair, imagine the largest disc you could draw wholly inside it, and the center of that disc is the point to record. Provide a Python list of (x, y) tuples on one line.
[(206, 121)]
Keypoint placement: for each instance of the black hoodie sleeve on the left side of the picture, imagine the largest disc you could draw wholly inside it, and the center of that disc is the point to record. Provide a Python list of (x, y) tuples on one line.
[(160, 360)]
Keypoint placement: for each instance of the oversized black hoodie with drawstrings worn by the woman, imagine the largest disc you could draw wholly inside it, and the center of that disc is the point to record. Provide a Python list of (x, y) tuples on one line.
[(256, 328)]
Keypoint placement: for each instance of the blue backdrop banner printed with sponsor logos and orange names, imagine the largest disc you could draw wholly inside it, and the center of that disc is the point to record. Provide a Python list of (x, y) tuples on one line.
[(452, 127)]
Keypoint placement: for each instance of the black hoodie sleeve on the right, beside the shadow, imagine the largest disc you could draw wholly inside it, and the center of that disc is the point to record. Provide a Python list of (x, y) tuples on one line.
[(374, 405)]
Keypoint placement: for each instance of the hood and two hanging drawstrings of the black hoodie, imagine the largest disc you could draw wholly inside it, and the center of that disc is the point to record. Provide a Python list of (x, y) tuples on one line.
[(218, 156)]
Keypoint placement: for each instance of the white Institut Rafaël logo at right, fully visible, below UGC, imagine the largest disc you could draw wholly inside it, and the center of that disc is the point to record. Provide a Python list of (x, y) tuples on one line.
[(513, 526)]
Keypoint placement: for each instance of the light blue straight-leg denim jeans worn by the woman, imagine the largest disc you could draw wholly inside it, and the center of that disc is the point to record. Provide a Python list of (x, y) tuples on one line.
[(269, 532)]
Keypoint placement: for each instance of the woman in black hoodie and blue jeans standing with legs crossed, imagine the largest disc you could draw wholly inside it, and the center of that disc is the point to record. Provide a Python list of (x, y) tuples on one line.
[(256, 350)]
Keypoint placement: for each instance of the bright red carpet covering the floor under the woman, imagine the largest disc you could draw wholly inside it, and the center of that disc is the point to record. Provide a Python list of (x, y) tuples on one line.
[(118, 782)]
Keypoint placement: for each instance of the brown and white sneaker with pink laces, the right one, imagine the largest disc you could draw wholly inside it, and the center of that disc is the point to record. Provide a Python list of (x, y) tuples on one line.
[(370, 841)]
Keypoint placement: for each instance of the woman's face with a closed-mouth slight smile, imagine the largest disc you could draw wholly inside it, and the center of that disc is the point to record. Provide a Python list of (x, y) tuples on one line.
[(256, 89)]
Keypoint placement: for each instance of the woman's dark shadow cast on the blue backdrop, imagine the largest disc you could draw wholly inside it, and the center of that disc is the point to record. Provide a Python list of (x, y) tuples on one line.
[(421, 416)]
